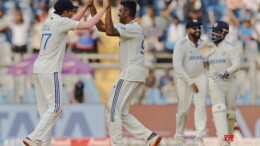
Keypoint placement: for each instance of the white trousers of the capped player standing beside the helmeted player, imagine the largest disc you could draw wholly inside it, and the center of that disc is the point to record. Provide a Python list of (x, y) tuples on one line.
[(185, 96)]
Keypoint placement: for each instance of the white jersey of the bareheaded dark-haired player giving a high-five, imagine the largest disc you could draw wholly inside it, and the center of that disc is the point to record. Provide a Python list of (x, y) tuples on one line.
[(131, 45)]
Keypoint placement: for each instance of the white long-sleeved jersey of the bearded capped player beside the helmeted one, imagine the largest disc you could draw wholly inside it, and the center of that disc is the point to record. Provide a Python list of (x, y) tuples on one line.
[(187, 60)]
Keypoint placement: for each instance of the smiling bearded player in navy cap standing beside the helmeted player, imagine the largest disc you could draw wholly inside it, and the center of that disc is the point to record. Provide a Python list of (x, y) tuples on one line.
[(191, 82)]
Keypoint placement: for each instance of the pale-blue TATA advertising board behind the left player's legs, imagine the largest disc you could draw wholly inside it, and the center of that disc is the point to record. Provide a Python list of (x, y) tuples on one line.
[(17, 121)]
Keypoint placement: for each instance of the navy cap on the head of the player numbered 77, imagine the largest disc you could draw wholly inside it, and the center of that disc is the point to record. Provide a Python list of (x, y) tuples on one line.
[(62, 5)]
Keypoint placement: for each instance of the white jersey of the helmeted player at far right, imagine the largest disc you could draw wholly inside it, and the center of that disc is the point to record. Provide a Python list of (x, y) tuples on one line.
[(225, 57)]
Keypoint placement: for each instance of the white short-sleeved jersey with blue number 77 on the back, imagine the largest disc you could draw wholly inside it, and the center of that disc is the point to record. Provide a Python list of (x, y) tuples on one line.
[(53, 43)]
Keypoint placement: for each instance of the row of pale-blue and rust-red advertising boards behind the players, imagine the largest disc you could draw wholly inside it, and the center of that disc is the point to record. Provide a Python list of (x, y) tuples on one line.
[(77, 121)]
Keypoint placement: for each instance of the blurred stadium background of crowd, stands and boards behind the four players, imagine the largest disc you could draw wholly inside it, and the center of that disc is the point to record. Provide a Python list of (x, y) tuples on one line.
[(86, 91)]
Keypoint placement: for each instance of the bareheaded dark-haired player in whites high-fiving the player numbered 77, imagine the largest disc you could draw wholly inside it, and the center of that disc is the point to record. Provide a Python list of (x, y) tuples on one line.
[(132, 75)]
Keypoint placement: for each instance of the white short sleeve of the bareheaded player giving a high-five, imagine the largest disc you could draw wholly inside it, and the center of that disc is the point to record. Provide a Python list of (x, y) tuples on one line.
[(128, 31)]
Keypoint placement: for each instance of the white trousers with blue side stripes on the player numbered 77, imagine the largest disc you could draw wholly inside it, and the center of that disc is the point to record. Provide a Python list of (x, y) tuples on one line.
[(48, 89)]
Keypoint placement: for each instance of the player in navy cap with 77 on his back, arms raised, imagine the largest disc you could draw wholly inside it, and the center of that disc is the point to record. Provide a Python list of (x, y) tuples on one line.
[(47, 67)]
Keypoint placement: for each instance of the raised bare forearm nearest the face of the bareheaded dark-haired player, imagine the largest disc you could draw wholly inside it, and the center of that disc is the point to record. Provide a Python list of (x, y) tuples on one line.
[(110, 29)]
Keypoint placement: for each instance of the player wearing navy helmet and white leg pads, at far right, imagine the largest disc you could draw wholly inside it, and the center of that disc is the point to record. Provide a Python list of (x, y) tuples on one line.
[(223, 64)]
